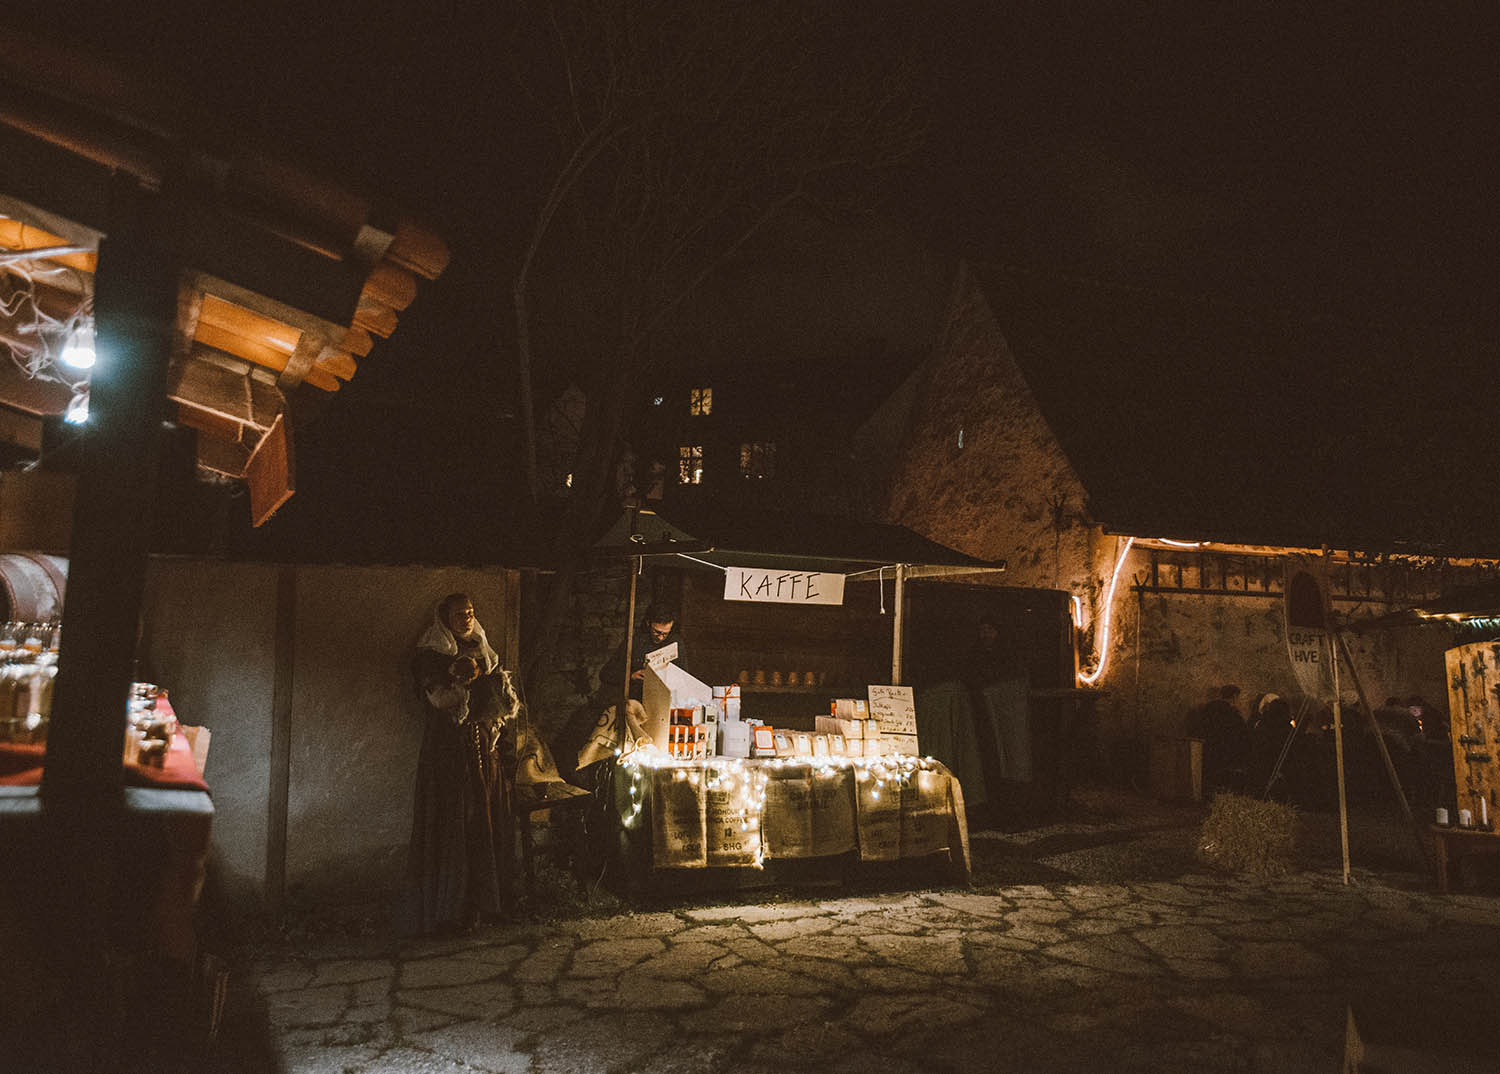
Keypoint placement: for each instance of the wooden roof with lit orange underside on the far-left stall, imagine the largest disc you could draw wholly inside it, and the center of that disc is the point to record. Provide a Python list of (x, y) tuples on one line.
[(289, 278)]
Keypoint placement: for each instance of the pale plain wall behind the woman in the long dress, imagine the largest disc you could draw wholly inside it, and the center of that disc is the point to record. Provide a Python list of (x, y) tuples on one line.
[(355, 725)]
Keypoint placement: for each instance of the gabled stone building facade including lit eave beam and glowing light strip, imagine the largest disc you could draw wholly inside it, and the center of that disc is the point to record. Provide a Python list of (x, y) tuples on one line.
[(974, 463)]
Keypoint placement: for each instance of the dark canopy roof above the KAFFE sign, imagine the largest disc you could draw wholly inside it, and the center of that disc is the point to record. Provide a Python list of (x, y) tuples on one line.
[(724, 536)]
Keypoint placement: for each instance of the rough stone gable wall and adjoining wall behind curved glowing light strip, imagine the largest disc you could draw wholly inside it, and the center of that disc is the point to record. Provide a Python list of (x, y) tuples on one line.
[(1007, 491)]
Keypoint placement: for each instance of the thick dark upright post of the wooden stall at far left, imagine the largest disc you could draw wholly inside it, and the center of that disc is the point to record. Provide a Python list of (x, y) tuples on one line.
[(86, 832)]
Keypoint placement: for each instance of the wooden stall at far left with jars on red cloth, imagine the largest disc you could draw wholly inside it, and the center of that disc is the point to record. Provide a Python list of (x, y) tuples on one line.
[(176, 299)]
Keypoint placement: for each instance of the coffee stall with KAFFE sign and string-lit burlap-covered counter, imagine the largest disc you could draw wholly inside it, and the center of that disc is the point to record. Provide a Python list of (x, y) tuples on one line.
[(730, 785)]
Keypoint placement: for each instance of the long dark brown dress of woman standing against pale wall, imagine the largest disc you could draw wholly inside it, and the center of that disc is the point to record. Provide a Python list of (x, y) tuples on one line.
[(461, 850)]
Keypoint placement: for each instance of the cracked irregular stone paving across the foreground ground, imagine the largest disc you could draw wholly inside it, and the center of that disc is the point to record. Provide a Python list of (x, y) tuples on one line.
[(1198, 974)]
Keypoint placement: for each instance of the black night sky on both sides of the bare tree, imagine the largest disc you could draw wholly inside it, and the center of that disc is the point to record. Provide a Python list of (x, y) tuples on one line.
[(1337, 166)]
